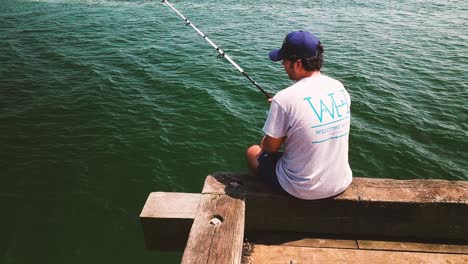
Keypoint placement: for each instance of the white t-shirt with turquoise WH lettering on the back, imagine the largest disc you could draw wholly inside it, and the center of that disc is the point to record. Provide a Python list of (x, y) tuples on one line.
[(314, 117)]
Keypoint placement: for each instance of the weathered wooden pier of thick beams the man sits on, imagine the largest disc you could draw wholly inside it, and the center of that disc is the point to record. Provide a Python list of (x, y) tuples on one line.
[(237, 219)]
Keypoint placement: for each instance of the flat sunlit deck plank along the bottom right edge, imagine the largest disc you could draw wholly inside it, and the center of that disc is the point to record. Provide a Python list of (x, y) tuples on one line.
[(286, 255)]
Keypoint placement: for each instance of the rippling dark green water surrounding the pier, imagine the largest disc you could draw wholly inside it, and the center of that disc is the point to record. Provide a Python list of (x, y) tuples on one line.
[(103, 102)]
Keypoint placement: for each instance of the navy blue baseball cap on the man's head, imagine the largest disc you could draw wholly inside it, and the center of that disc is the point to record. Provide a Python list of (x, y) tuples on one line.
[(303, 44)]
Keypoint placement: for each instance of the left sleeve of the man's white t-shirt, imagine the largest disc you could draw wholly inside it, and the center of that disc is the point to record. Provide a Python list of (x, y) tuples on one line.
[(277, 122)]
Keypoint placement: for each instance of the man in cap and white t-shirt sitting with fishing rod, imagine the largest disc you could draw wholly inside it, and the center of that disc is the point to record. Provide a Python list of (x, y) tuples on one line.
[(311, 120)]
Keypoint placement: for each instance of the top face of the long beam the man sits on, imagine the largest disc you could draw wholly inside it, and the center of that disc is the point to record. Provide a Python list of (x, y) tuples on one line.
[(361, 189)]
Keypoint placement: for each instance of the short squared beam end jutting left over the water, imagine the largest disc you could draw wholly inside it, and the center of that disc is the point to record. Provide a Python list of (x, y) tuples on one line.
[(166, 219)]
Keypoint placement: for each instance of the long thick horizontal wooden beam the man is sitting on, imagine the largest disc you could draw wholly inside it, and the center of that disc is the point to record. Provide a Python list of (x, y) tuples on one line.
[(426, 209)]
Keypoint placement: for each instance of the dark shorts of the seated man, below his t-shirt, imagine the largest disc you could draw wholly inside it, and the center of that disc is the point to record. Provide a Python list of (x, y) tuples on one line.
[(267, 169)]
